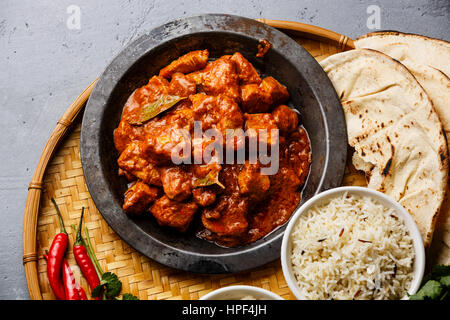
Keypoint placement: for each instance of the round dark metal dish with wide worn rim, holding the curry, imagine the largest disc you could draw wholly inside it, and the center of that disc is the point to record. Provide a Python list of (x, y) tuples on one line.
[(311, 93)]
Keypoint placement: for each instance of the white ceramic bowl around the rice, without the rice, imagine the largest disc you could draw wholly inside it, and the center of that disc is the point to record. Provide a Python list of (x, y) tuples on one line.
[(286, 248)]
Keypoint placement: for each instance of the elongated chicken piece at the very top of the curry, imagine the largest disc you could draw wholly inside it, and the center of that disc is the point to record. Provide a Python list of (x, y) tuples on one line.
[(192, 61)]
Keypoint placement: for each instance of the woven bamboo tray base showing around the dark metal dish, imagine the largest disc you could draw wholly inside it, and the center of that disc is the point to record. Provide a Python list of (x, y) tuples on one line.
[(140, 276)]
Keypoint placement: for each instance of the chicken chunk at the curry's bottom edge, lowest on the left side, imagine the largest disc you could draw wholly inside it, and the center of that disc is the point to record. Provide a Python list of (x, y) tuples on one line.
[(172, 213)]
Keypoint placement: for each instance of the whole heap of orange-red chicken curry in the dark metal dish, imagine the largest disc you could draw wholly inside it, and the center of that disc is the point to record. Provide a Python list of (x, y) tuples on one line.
[(235, 203)]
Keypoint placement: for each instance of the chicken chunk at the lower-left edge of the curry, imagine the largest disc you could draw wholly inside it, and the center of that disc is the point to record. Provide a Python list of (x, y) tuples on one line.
[(139, 197)]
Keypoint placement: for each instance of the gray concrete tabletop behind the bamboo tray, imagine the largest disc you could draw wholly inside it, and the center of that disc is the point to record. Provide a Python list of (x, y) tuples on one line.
[(44, 65)]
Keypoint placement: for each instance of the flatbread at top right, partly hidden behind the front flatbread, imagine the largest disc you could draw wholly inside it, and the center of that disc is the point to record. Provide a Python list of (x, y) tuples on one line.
[(429, 61)]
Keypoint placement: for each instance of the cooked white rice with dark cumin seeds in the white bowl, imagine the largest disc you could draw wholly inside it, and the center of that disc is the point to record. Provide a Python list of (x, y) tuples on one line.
[(352, 247)]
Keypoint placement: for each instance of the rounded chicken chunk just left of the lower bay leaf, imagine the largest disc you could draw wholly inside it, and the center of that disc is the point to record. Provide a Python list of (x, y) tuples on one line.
[(177, 183)]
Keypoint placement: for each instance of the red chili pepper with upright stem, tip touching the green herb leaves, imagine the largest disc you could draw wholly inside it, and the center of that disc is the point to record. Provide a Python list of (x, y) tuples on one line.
[(83, 260)]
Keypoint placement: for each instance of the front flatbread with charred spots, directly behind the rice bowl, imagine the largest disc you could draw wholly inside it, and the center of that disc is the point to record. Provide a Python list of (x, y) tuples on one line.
[(398, 139)]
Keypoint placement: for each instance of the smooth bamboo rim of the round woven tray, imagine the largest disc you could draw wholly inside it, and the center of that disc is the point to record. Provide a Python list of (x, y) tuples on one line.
[(35, 188)]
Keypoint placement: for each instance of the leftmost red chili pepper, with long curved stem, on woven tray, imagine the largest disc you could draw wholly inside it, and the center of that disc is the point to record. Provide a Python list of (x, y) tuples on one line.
[(55, 258)]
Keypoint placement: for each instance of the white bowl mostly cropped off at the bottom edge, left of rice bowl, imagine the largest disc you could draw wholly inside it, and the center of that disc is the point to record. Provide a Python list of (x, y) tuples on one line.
[(239, 292)]
